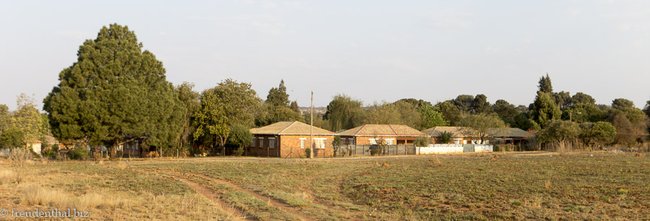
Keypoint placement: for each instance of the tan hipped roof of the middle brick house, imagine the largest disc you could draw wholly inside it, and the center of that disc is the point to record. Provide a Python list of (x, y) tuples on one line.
[(382, 130)]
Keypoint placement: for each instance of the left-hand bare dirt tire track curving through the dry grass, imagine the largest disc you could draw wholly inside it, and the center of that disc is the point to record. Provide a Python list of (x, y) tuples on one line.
[(234, 213)]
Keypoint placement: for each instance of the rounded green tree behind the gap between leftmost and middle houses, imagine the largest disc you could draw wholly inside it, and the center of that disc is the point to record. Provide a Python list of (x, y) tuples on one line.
[(343, 112)]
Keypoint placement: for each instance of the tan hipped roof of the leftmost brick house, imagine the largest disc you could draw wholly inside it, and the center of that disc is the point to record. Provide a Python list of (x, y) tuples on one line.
[(290, 128)]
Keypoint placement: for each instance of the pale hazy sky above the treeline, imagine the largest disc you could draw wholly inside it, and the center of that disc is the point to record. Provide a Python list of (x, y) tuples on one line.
[(371, 50)]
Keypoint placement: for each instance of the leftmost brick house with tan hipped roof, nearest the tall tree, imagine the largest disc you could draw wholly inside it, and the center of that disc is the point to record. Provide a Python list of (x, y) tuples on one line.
[(290, 139)]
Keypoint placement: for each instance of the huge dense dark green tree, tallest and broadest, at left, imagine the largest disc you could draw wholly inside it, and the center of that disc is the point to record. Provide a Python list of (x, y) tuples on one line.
[(114, 92)]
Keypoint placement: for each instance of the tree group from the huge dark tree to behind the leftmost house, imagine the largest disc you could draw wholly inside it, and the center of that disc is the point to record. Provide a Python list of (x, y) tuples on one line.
[(117, 92)]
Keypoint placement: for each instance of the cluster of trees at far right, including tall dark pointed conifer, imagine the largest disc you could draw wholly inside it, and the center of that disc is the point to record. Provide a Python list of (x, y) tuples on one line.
[(566, 121)]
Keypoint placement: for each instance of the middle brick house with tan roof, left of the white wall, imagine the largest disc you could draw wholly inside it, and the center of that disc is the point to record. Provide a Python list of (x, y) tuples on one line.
[(390, 134)]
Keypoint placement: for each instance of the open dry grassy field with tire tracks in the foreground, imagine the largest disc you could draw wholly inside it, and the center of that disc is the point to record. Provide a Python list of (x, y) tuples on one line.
[(482, 186)]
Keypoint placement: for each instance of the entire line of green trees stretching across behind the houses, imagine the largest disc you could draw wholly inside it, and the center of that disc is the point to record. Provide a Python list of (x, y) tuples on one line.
[(117, 92)]
